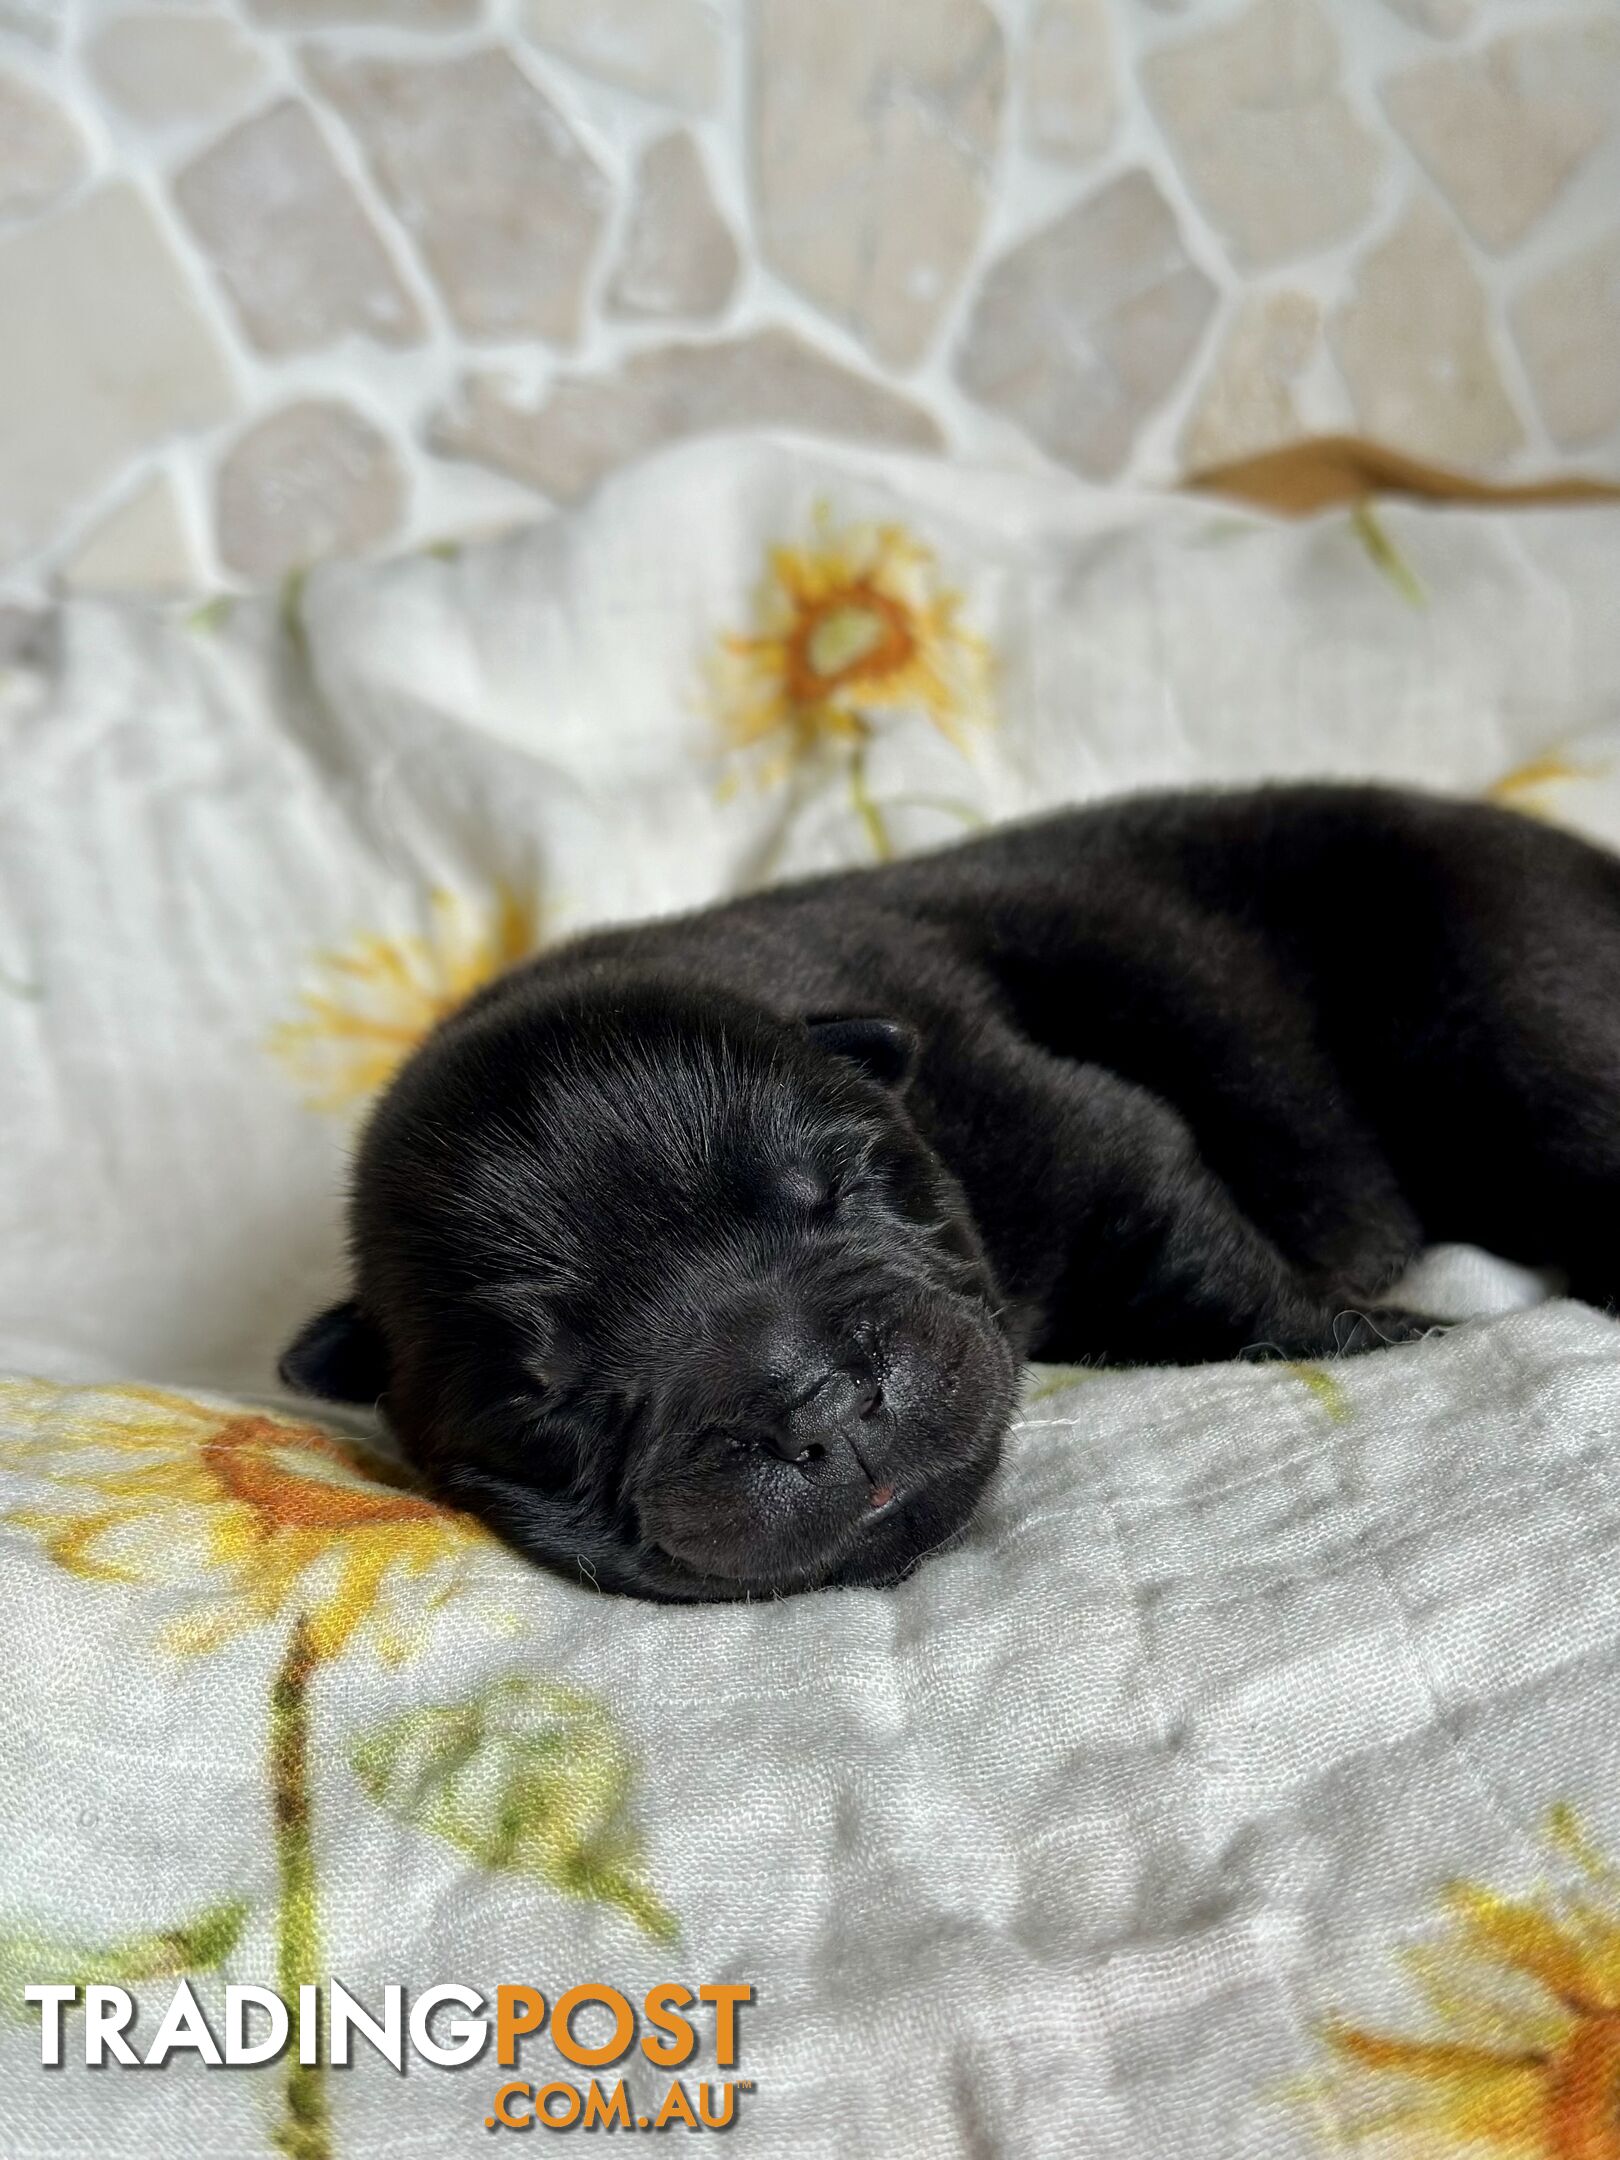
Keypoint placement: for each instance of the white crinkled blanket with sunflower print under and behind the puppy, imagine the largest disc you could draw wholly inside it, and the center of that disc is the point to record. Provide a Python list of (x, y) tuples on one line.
[(1250, 1783)]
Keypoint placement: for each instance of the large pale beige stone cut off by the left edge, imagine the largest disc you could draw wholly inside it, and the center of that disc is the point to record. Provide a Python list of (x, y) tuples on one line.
[(105, 351)]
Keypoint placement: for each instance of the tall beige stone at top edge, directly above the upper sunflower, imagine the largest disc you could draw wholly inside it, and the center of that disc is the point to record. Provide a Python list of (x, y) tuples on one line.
[(874, 144)]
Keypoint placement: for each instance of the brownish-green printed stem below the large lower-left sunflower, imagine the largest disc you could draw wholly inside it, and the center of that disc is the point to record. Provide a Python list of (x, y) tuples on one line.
[(306, 2129)]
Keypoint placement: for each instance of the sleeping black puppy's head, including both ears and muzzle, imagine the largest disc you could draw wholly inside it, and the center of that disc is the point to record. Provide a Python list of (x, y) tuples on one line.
[(673, 1293)]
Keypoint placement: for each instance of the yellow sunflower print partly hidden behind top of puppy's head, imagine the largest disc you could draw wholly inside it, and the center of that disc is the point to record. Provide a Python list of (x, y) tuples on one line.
[(381, 995)]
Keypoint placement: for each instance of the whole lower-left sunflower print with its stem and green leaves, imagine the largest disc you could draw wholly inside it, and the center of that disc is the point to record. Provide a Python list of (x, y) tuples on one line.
[(310, 1533)]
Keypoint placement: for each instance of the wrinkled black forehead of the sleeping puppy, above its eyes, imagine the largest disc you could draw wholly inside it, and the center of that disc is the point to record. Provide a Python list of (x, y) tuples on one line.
[(571, 1146)]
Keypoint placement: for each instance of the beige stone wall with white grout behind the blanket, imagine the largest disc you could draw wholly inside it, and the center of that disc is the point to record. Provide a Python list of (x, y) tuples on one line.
[(295, 278)]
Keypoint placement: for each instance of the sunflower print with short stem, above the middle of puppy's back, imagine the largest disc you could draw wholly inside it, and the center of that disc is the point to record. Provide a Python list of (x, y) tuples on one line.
[(850, 627)]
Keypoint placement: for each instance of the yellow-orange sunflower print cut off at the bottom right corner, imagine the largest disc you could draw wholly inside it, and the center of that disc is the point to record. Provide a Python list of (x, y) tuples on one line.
[(1526, 1995)]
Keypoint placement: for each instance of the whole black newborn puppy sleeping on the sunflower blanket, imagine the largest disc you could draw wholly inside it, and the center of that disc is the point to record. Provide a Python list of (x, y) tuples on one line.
[(701, 1258)]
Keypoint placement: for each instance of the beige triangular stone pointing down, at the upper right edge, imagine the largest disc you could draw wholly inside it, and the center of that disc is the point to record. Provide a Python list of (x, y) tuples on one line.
[(1504, 129)]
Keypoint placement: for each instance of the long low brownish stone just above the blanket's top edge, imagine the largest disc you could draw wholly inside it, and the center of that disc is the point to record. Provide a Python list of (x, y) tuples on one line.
[(593, 424)]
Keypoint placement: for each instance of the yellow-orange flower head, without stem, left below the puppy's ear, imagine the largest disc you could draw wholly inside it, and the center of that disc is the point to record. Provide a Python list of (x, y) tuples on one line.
[(262, 1515)]
